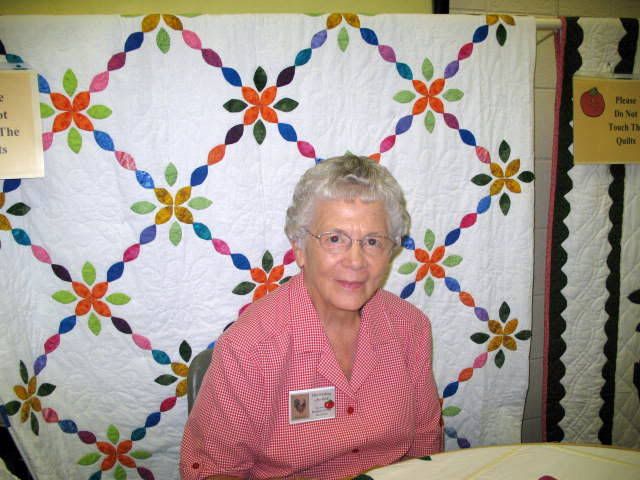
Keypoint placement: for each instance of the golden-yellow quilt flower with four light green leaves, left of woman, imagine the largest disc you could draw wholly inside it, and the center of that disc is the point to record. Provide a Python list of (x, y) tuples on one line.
[(173, 206)]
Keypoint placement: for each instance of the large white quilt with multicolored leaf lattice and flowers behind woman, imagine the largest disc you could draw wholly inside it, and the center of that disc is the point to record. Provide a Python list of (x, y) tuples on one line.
[(172, 146)]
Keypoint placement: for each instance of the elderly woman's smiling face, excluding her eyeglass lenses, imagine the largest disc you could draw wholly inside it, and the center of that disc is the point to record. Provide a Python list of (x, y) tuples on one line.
[(340, 284)]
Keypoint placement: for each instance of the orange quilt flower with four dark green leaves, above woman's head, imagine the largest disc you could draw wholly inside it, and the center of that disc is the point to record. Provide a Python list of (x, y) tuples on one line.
[(260, 100)]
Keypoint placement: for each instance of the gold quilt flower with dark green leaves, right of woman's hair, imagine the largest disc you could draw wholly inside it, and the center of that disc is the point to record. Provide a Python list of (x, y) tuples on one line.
[(507, 178)]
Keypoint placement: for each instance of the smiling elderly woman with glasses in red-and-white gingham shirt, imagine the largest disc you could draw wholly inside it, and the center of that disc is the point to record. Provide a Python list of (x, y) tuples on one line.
[(329, 375)]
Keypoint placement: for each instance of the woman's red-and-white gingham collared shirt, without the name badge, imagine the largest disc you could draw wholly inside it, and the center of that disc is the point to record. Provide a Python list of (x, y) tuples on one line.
[(389, 409)]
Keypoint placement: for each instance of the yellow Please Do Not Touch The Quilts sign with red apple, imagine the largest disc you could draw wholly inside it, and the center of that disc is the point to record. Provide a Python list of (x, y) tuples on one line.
[(606, 122)]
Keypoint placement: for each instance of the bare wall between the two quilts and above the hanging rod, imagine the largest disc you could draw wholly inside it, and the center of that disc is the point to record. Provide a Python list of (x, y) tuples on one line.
[(545, 82)]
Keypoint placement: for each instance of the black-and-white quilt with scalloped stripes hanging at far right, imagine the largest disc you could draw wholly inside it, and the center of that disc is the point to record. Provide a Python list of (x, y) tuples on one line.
[(592, 373)]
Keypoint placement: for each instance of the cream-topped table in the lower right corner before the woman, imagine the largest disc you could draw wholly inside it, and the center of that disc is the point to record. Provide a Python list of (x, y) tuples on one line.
[(536, 461)]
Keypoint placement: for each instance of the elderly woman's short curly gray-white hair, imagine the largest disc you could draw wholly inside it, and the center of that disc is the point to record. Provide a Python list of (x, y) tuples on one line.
[(348, 177)]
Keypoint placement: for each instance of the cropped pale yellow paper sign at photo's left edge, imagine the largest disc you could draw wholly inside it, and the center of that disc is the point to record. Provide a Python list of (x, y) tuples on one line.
[(21, 153)]
